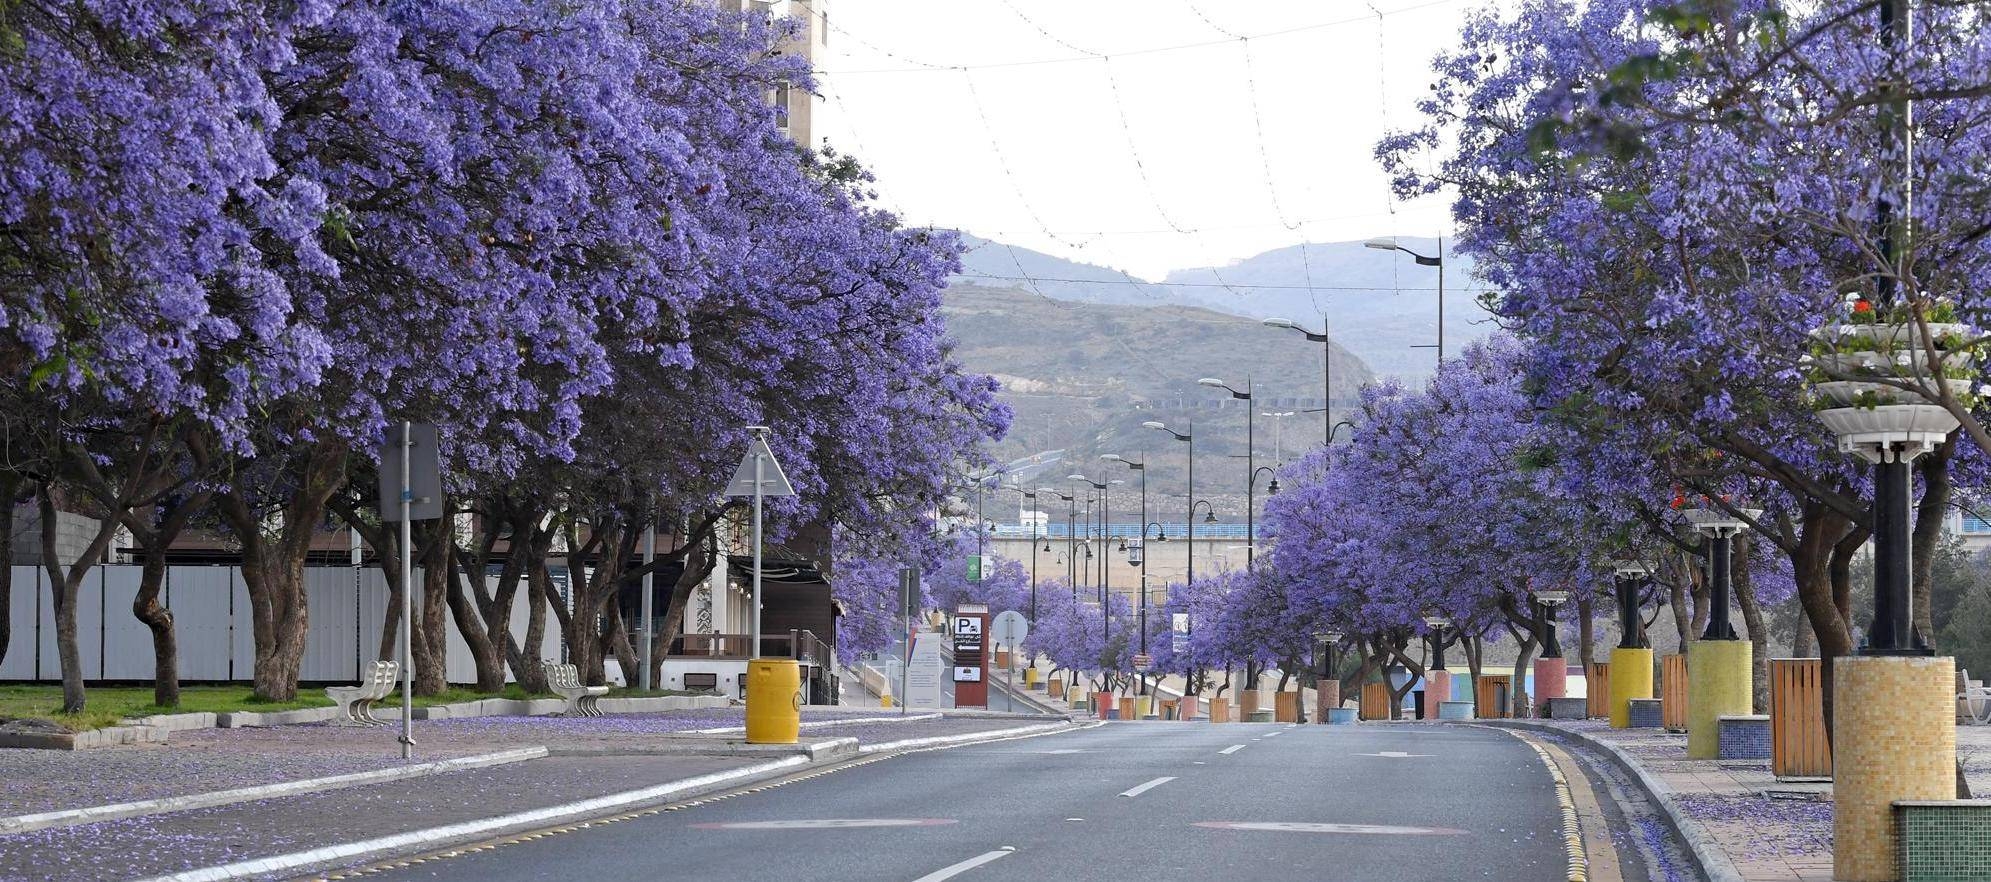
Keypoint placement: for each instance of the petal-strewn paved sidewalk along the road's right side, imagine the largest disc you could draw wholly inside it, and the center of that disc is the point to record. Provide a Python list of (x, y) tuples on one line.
[(1769, 831)]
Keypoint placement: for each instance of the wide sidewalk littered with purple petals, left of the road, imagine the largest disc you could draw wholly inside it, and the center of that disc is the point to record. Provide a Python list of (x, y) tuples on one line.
[(590, 760)]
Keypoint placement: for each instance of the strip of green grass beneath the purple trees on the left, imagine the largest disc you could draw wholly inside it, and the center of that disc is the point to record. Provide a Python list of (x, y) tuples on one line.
[(107, 706)]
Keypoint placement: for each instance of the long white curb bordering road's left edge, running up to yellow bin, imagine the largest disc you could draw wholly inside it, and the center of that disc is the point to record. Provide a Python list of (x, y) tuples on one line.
[(475, 829)]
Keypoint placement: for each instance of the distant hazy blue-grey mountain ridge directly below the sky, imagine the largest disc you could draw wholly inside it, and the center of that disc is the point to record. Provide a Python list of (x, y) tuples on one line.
[(1381, 306)]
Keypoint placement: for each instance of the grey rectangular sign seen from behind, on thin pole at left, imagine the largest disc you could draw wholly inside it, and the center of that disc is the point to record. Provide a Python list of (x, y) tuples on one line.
[(411, 475)]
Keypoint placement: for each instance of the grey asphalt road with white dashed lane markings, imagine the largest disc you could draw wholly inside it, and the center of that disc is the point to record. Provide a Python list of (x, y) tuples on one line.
[(1124, 801)]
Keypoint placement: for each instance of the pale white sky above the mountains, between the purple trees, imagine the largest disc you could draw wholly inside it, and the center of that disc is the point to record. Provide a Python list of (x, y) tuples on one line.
[(1064, 170)]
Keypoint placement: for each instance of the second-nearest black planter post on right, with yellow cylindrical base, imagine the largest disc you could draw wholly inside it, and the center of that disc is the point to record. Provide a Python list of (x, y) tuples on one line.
[(1719, 660)]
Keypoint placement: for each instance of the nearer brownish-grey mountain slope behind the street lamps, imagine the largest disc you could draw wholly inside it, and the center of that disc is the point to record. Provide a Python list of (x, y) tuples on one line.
[(1084, 377)]
